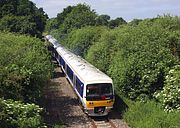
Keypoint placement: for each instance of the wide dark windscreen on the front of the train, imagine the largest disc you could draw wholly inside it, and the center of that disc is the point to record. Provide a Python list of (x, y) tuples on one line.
[(101, 91)]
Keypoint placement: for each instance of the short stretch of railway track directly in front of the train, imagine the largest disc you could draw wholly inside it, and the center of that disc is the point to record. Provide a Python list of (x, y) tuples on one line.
[(102, 122)]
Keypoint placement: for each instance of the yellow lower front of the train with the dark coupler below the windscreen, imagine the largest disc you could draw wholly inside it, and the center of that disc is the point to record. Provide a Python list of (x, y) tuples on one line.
[(98, 108)]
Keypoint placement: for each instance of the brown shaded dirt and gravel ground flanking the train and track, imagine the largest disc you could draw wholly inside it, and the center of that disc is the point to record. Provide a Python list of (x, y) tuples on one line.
[(62, 105)]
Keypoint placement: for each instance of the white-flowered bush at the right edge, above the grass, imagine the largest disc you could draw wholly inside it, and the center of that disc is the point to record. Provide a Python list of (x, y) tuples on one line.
[(170, 95)]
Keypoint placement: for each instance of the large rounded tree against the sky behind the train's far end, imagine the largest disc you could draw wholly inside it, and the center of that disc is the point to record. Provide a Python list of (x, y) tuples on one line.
[(75, 17)]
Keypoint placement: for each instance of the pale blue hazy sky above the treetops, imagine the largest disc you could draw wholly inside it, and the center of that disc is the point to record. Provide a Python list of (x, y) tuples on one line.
[(127, 9)]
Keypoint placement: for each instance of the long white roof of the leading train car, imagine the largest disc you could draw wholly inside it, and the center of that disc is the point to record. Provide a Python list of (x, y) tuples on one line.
[(84, 70)]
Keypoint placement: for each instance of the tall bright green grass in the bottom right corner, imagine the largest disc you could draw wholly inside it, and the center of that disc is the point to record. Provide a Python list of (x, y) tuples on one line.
[(150, 115)]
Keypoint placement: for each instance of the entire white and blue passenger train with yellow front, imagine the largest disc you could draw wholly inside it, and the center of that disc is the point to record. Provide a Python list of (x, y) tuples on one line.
[(93, 87)]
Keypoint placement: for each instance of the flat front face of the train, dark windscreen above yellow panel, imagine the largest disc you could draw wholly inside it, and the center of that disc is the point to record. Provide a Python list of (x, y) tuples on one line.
[(99, 99)]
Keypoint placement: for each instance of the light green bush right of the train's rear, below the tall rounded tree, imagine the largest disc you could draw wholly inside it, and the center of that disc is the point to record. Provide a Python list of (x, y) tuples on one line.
[(80, 40)]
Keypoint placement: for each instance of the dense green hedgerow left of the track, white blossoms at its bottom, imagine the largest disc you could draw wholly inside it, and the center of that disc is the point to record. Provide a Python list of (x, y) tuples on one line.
[(25, 68)]
